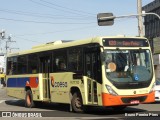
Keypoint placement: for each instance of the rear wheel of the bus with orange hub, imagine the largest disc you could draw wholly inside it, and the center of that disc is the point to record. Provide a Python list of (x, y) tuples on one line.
[(29, 99)]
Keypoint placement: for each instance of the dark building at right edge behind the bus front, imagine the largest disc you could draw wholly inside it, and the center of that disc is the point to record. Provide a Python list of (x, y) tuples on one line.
[(152, 32)]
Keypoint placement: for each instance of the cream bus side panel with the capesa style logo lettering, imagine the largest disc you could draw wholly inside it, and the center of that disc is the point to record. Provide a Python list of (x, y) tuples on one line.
[(60, 87)]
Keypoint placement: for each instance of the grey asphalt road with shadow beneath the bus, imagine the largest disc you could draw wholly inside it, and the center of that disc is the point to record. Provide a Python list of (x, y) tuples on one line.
[(15, 108)]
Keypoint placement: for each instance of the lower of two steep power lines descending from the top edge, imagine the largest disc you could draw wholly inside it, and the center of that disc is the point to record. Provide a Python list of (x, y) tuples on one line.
[(57, 8)]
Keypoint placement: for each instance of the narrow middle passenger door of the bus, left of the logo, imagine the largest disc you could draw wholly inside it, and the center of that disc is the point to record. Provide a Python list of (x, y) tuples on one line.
[(45, 70)]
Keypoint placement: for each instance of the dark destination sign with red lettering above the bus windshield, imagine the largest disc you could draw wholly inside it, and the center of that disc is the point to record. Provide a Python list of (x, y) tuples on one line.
[(125, 42)]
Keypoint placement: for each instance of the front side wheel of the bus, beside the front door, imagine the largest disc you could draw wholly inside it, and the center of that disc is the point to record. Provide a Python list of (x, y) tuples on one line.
[(76, 102)]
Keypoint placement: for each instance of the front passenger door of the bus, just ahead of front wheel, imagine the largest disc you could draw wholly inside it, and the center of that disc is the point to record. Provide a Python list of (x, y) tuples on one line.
[(92, 72)]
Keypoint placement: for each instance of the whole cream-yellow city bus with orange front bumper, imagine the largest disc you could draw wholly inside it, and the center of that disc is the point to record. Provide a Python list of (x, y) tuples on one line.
[(103, 71)]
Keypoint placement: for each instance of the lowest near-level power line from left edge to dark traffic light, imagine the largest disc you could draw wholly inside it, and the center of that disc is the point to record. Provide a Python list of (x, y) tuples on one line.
[(42, 22)]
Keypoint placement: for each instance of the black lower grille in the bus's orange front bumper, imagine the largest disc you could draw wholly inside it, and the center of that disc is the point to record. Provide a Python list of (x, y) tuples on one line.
[(128, 100)]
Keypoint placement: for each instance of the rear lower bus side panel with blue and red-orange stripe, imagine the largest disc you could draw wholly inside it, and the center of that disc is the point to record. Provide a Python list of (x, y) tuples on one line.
[(16, 85)]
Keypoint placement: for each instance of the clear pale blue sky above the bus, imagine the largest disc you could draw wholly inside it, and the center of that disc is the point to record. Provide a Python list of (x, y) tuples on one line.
[(34, 22)]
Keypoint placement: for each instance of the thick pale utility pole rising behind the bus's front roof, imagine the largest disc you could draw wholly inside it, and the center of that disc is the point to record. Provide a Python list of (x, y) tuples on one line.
[(140, 20)]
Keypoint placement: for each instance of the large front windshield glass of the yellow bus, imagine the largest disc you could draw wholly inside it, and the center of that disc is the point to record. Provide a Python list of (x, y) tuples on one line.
[(128, 65)]
